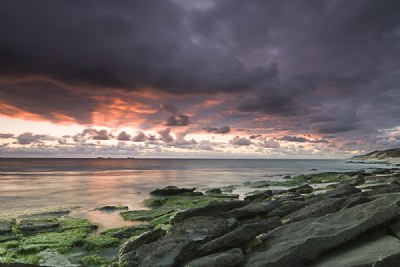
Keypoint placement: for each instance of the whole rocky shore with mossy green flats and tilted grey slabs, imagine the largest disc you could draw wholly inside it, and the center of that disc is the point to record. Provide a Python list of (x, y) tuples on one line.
[(323, 219)]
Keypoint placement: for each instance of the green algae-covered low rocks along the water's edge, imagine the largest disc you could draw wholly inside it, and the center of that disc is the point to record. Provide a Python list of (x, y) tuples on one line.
[(317, 184)]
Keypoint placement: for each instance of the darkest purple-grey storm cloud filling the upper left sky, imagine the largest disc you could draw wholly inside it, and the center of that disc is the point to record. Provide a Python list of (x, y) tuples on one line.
[(129, 44)]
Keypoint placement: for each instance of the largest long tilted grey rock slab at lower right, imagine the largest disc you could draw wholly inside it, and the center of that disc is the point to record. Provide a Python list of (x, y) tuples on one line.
[(297, 243)]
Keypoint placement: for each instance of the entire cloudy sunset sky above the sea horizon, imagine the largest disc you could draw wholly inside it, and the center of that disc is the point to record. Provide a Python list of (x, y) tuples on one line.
[(187, 78)]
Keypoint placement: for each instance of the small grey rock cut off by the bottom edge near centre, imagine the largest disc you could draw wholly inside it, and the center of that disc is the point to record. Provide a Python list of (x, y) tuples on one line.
[(230, 258)]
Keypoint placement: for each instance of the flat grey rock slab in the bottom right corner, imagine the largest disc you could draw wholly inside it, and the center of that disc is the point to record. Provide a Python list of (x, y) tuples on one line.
[(373, 250)]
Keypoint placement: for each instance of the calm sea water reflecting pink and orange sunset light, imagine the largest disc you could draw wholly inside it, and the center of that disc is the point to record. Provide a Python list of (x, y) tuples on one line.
[(41, 184)]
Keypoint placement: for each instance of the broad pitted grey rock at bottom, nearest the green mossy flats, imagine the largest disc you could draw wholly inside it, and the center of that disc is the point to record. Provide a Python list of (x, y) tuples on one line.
[(180, 245)]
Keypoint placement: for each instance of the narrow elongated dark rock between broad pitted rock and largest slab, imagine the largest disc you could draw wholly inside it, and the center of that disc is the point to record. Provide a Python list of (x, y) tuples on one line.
[(240, 236)]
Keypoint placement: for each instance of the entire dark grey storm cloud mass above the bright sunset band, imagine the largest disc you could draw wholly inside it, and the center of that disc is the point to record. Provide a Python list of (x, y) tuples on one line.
[(327, 67)]
